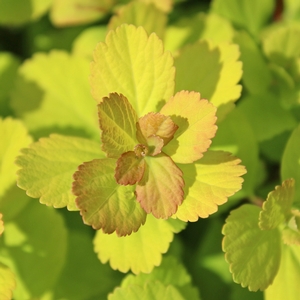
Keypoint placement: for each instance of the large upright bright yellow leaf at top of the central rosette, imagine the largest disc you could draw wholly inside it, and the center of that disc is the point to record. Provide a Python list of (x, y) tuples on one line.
[(131, 63)]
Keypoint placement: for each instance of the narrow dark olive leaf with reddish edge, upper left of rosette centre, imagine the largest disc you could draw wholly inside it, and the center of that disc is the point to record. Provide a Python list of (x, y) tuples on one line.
[(117, 121)]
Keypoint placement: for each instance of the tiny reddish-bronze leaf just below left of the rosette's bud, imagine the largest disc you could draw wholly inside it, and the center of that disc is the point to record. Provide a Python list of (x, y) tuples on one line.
[(130, 168)]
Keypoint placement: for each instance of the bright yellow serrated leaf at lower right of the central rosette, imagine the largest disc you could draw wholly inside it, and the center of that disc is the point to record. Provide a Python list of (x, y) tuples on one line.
[(208, 183)]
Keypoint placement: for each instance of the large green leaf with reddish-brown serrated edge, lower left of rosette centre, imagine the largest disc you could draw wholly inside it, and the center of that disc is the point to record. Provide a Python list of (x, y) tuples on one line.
[(103, 203)]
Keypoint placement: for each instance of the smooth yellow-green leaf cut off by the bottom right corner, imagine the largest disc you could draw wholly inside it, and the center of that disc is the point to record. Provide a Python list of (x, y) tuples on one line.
[(286, 283)]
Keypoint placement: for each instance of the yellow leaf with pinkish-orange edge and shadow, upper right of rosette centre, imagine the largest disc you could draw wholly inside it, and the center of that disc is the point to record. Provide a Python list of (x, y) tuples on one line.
[(196, 119)]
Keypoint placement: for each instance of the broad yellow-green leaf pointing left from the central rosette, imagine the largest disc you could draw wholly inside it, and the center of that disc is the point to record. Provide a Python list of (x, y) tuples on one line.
[(47, 167)]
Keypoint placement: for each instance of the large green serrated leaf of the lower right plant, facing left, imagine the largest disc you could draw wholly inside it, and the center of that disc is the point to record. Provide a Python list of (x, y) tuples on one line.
[(253, 254)]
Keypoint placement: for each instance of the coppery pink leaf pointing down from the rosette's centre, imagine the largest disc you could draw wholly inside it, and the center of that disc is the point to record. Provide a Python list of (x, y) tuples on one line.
[(161, 189)]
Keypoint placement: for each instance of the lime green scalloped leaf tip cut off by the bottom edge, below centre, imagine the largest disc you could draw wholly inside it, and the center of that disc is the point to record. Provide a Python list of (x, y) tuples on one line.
[(153, 290)]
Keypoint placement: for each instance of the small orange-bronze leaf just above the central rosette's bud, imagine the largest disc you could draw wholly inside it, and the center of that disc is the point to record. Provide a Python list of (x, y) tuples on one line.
[(155, 124)]
